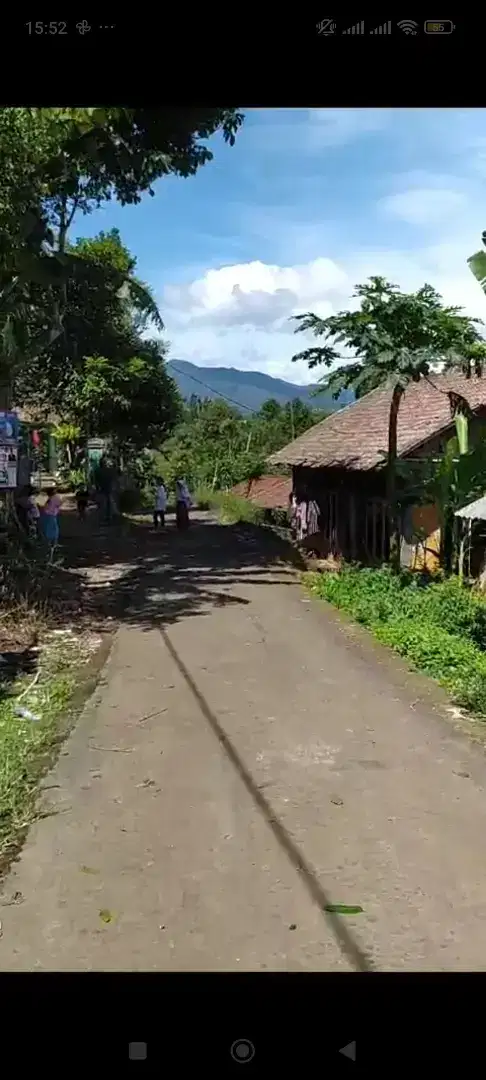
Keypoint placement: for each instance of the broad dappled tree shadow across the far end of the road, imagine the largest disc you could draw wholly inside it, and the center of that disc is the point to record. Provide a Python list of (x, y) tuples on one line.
[(132, 574)]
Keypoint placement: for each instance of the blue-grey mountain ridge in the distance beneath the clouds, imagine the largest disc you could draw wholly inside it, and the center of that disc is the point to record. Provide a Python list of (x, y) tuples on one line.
[(249, 389)]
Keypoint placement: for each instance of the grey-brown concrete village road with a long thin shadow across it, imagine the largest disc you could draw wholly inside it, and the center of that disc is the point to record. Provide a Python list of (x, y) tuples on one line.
[(247, 762)]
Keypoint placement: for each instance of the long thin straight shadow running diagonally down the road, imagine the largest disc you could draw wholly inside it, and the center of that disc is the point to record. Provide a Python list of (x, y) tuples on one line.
[(345, 939)]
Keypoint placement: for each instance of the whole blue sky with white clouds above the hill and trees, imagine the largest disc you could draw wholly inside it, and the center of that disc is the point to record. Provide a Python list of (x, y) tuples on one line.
[(308, 204)]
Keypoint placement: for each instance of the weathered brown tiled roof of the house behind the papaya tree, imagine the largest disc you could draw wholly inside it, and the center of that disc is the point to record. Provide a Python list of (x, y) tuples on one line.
[(357, 437)]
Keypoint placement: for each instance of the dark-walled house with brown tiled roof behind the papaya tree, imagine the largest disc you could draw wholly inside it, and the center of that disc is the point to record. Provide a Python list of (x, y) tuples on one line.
[(341, 464)]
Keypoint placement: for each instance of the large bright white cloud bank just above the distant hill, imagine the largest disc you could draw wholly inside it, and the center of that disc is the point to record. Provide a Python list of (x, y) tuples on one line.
[(240, 316)]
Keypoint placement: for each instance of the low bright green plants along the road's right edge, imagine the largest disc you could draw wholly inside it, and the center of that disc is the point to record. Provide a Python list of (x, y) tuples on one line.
[(439, 627)]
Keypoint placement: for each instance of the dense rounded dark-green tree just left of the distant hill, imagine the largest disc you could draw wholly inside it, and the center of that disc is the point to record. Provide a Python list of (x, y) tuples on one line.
[(104, 376)]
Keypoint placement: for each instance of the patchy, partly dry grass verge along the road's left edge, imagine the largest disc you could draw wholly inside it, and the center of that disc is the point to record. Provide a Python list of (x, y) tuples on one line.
[(69, 668)]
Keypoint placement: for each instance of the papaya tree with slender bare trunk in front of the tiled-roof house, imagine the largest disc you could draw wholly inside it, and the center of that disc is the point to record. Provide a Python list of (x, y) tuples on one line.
[(396, 339)]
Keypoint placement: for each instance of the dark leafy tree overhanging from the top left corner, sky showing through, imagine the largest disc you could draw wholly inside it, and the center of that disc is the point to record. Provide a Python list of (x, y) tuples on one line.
[(55, 163)]
